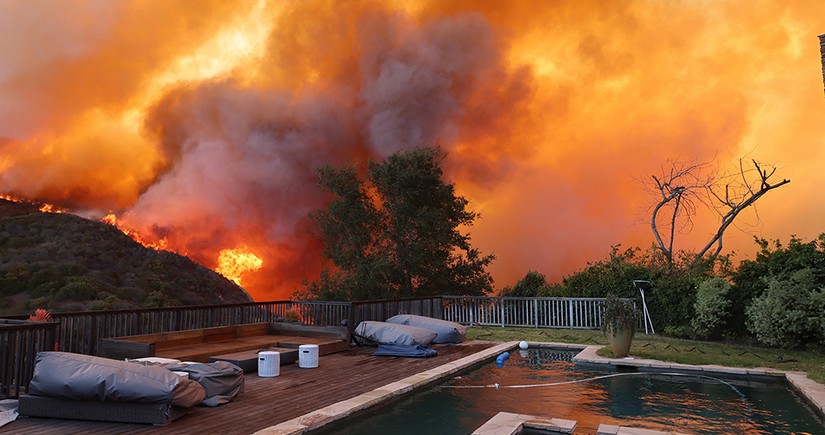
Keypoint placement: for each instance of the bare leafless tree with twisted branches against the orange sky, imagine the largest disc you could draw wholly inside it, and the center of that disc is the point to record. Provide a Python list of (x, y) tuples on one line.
[(686, 186)]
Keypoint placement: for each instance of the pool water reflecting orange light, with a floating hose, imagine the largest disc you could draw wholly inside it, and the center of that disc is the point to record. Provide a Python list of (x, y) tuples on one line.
[(689, 404)]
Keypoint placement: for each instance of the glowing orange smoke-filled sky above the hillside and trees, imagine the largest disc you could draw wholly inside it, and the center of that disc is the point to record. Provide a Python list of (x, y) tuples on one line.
[(201, 122)]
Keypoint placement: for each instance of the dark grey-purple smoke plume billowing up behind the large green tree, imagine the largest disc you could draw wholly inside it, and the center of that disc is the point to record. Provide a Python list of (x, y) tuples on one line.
[(241, 158)]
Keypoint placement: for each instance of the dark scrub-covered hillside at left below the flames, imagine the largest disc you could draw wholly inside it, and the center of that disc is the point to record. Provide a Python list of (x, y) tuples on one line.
[(64, 262)]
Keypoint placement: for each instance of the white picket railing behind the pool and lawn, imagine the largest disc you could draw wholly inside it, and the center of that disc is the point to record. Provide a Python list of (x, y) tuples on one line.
[(569, 313)]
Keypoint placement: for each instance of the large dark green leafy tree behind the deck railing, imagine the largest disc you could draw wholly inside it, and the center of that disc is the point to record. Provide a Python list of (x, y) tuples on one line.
[(397, 234)]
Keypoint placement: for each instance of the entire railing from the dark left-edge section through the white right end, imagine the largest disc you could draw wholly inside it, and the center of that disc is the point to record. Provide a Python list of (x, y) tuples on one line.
[(79, 332)]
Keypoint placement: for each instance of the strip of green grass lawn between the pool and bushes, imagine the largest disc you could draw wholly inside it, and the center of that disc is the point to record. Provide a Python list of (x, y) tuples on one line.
[(670, 349)]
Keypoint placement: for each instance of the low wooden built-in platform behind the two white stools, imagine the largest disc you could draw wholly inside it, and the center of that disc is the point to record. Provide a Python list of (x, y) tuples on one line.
[(200, 345)]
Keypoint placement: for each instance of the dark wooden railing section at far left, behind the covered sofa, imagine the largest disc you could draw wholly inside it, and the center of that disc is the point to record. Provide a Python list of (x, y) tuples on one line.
[(20, 340)]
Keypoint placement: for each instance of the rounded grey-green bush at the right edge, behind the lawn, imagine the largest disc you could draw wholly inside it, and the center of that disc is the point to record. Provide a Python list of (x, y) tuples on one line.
[(791, 312)]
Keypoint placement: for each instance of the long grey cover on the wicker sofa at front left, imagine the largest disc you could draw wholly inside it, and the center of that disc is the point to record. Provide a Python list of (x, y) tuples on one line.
[(83, 377)]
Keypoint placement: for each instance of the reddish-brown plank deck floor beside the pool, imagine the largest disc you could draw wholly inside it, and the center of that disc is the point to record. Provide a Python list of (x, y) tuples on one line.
[(269, 401)]
